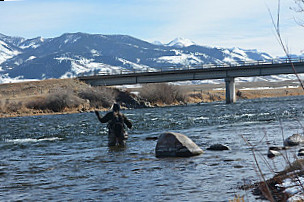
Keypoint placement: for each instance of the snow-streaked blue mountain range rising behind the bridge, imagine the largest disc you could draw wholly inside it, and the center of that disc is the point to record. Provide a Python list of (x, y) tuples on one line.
[(74, 54)]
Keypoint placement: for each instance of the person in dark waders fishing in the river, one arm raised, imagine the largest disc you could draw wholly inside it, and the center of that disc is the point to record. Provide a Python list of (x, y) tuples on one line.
[(116, 125)]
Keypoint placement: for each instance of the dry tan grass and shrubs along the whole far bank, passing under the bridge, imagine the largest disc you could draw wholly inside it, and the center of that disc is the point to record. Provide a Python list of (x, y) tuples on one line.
[(70, 95)]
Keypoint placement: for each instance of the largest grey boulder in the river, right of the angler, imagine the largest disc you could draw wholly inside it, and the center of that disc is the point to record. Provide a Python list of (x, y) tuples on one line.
[(172, 144)]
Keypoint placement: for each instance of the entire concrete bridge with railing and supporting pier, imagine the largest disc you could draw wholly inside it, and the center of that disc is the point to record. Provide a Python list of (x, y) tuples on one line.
[(203, 72)]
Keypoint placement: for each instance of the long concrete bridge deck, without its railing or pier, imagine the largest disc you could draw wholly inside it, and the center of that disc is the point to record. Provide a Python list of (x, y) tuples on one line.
[(194, 74)]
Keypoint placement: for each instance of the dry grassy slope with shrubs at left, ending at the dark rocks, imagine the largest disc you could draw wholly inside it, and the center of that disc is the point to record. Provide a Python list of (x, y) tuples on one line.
[(51, 96)]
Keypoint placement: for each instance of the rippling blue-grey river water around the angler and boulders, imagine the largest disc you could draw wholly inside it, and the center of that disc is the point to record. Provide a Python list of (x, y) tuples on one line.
[(65, 157)]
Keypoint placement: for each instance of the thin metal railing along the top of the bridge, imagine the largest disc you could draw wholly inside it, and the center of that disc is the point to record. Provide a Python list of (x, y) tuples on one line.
[(147, 69)]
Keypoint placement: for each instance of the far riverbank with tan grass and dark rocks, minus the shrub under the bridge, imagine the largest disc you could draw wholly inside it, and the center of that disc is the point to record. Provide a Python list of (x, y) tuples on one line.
[(73, 96)]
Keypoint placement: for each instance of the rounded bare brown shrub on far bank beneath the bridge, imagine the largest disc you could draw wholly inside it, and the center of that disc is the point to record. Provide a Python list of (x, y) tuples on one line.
[(164, 93)]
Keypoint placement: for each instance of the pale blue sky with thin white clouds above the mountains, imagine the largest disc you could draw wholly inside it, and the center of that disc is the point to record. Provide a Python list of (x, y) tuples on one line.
[(221, 23)]
